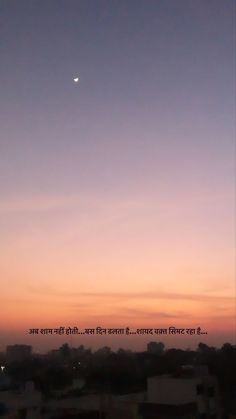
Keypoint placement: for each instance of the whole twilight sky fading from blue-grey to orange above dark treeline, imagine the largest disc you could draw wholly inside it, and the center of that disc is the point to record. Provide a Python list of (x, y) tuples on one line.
[(118, 192)]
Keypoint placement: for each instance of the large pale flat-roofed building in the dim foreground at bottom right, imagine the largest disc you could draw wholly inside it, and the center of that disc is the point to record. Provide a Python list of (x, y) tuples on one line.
[(190, 393)]
